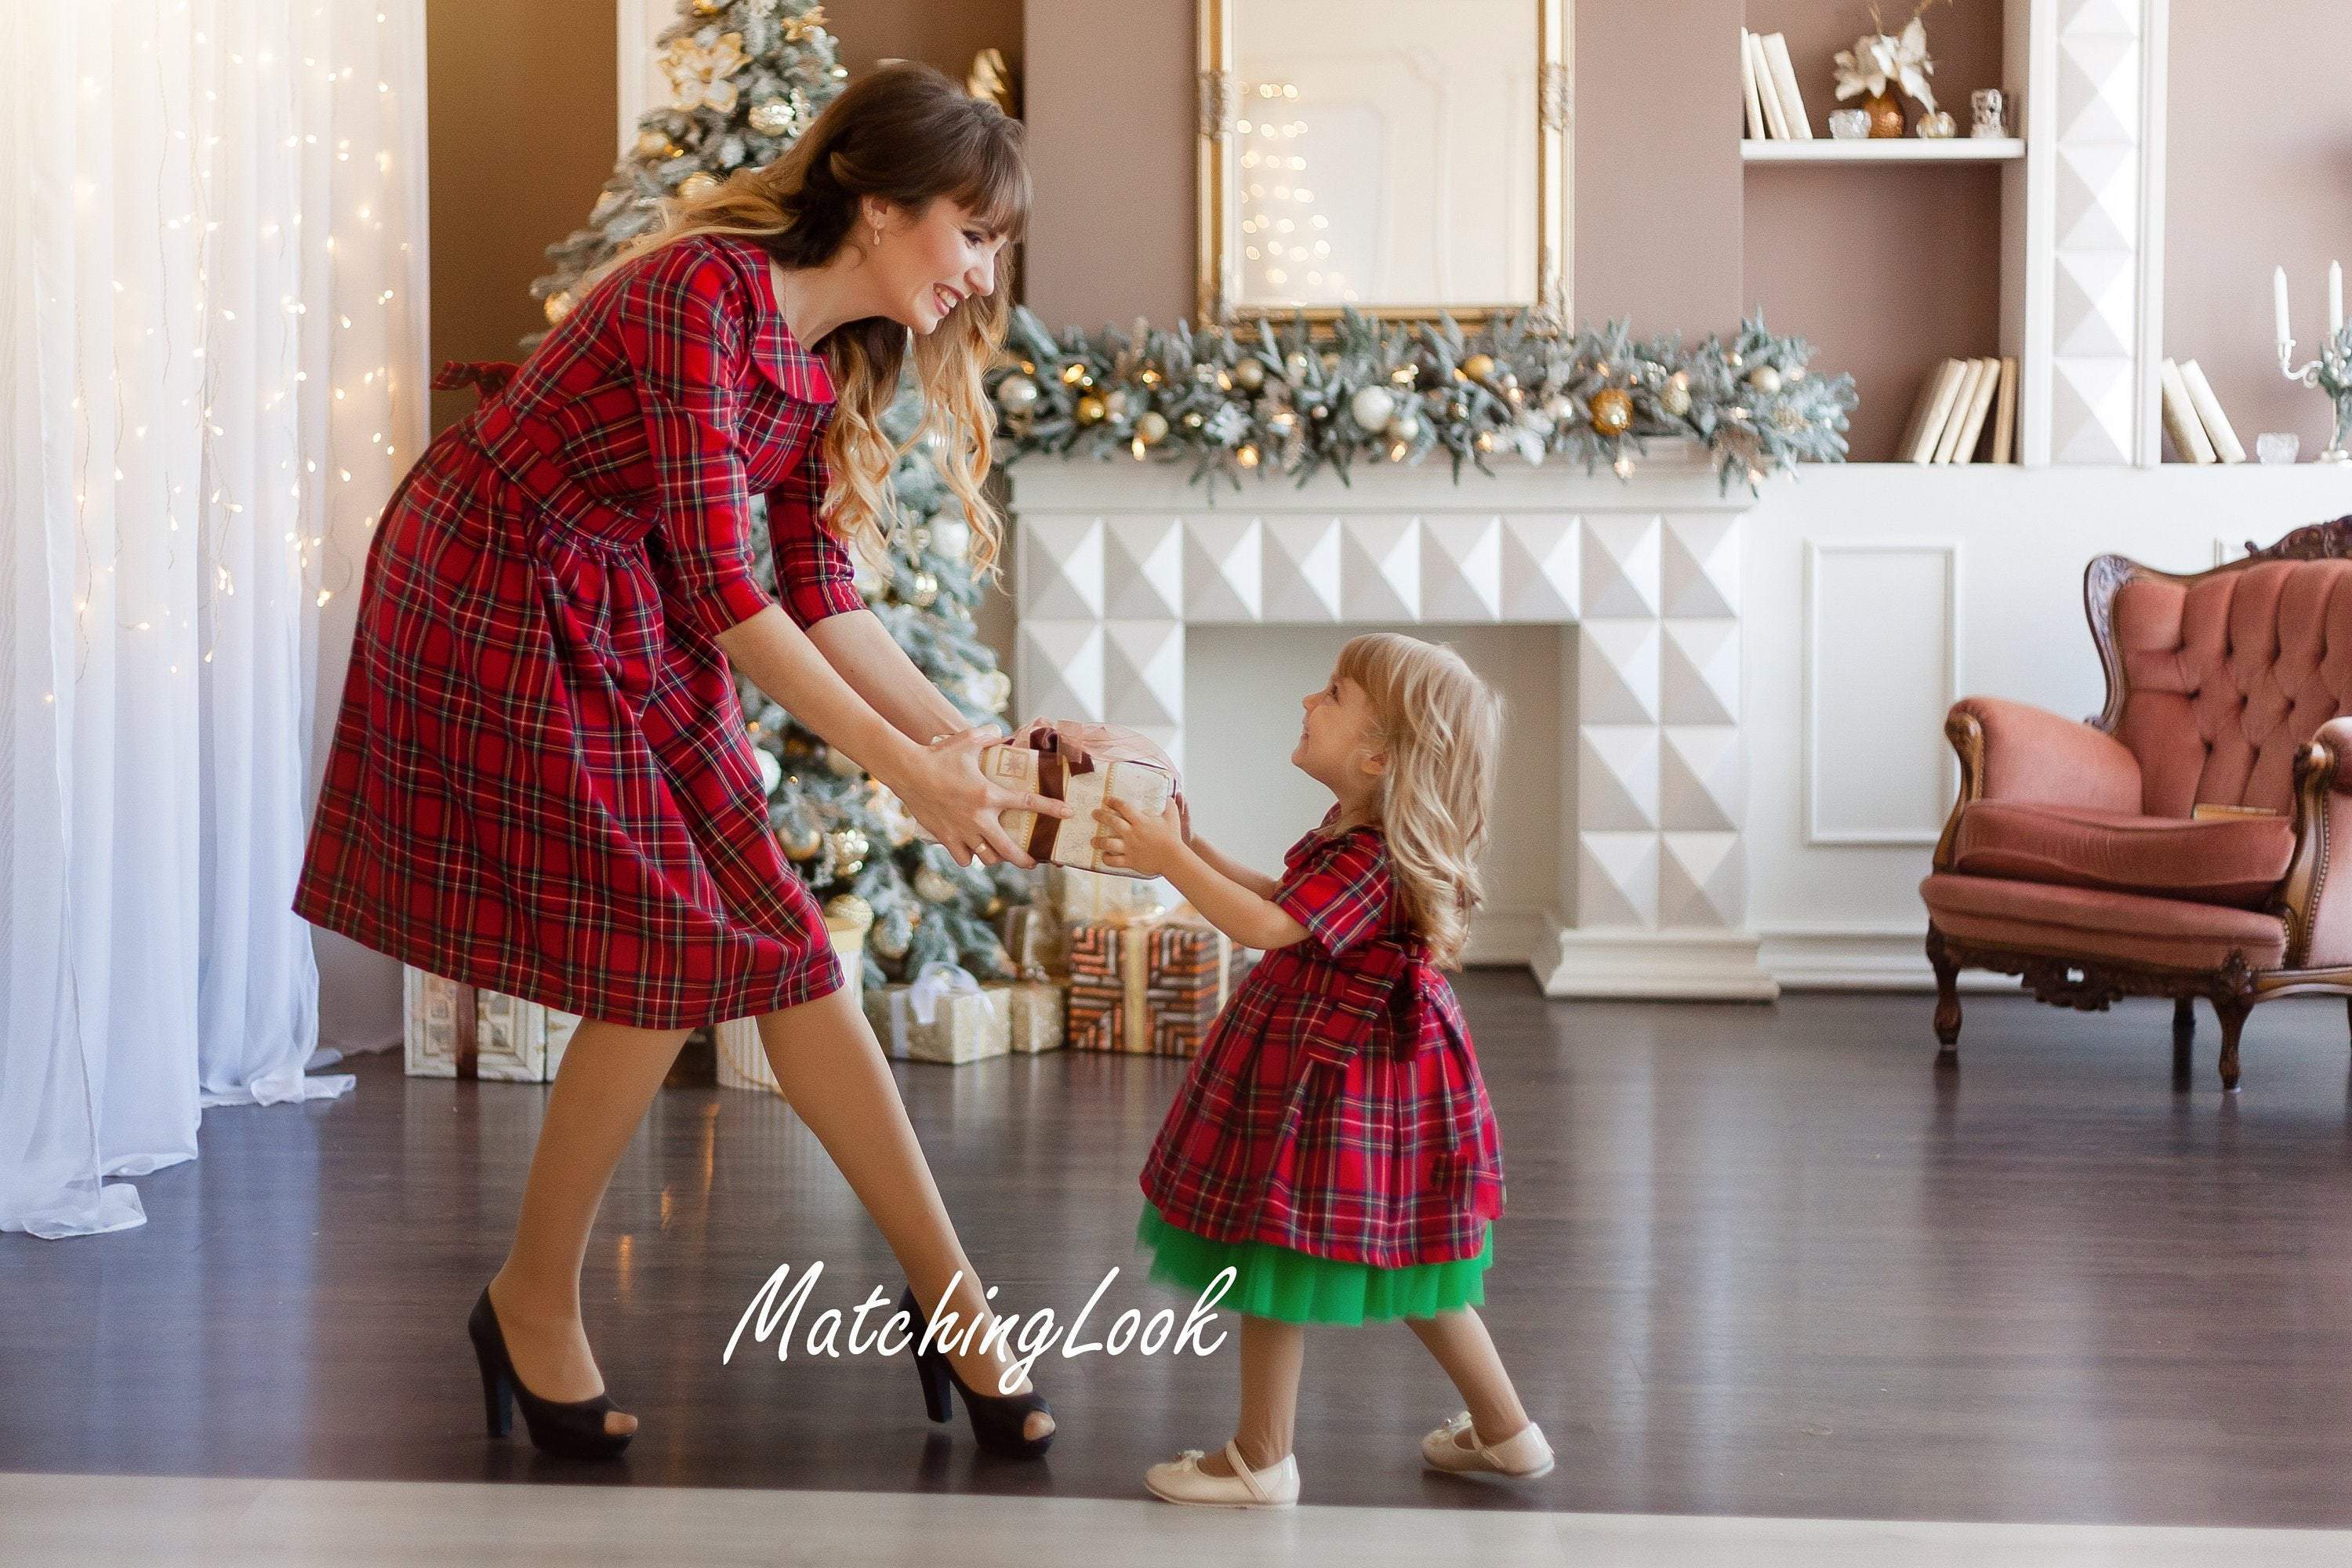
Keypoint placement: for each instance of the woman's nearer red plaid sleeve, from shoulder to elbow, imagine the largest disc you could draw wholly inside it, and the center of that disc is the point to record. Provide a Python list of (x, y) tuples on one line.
[(683, 333)]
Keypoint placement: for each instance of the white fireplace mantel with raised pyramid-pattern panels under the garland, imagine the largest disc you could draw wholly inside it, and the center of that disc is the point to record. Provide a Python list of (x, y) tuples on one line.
[(1118, 563)]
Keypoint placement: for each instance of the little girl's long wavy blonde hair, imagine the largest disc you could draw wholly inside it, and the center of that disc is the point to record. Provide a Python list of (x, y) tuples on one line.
[(1441, 728)]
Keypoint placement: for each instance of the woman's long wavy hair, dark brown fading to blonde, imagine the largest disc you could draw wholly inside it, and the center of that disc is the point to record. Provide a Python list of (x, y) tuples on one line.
[(907, 135)]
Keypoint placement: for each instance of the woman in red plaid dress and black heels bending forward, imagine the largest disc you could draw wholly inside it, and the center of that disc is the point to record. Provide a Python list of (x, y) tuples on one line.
[(542, 779)]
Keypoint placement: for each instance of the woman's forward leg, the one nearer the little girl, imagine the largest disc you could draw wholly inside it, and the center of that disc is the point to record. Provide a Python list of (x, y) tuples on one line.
[(836, 1078)]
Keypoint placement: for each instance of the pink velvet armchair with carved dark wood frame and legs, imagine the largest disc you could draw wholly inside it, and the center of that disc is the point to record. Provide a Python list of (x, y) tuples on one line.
[(2186, 840)]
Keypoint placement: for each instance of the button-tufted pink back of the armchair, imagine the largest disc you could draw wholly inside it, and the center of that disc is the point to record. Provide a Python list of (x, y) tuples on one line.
[(2226, 676)]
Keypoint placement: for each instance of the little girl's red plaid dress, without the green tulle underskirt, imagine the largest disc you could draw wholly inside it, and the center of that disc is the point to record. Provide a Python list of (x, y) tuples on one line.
[(1337, 1106)]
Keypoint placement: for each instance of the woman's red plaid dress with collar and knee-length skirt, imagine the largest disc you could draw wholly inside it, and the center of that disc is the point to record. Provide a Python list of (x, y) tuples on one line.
[(540, 779)]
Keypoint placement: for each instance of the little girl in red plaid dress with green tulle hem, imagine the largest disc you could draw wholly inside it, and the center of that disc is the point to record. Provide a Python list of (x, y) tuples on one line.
[(1335, 1144)]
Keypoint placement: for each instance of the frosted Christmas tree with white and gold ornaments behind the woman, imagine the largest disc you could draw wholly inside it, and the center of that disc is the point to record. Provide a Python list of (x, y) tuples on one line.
[(747, 79)]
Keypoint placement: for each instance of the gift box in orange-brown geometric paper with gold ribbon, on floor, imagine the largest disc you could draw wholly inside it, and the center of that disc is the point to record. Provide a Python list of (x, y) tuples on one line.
[(1149, 986)]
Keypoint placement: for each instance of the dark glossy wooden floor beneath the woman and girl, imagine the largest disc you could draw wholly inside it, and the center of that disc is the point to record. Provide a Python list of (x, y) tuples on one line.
[(1758, 1261)]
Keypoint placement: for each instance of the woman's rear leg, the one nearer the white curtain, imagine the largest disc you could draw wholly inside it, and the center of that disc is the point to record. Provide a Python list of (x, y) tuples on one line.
[(596, 1106)]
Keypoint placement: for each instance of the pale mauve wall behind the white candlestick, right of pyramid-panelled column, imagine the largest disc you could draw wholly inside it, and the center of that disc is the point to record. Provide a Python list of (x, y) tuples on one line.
[(2257, 175)]
